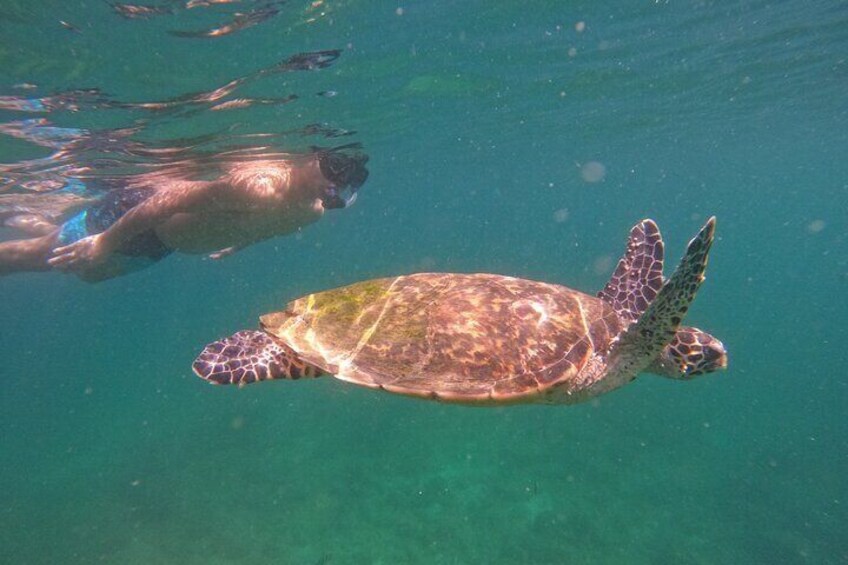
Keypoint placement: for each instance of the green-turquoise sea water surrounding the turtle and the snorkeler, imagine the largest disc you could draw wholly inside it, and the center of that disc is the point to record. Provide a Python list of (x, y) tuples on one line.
[(481, 120)]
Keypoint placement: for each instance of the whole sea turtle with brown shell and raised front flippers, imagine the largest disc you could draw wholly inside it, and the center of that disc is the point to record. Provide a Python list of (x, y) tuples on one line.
[(486, 339)]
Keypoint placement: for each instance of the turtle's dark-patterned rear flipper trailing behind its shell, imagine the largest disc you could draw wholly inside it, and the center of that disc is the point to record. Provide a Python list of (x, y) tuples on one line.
[(249, 356)]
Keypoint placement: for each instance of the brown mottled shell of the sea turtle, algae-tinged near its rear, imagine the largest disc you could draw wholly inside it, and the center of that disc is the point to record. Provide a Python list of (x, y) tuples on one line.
[(461, 338)]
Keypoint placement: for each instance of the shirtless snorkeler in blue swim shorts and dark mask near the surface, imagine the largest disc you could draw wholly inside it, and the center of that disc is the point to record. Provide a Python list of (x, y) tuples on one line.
[(150, 217)]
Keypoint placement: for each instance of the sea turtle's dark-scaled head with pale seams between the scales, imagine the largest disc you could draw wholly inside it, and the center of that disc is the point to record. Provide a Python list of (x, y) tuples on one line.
[(690, 354)]
